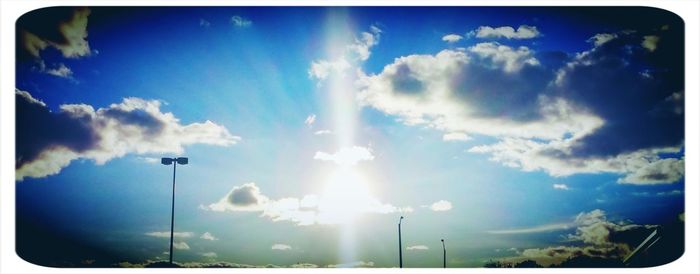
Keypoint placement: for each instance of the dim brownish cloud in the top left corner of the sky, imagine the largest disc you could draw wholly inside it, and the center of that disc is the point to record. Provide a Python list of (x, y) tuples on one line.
[(64, 29)]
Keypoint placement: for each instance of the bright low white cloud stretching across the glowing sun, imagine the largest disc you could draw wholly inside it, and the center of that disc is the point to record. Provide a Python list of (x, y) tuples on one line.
[(309, 210)]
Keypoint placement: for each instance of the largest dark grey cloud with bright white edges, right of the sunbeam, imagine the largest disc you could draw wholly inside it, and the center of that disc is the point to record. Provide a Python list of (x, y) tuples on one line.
[(544, 110)]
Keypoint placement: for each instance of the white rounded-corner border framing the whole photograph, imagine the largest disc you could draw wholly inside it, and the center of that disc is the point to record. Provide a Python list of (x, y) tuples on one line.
[(10, 10)]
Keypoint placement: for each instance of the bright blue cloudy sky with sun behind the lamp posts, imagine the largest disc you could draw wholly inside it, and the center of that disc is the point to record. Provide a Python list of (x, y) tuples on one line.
[(511, 133)]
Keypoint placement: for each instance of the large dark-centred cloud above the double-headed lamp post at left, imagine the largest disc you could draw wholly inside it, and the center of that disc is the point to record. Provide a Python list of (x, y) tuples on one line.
[(79, 131)]
